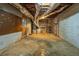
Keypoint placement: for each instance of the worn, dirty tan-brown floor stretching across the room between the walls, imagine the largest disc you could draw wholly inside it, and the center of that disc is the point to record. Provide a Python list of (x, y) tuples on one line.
[(34, 46)]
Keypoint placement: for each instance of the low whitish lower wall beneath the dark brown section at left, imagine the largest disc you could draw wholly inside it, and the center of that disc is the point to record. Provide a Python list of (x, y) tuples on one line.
[(7, 39)]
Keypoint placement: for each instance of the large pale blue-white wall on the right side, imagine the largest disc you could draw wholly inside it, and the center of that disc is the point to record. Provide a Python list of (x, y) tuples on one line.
[(69, 29)]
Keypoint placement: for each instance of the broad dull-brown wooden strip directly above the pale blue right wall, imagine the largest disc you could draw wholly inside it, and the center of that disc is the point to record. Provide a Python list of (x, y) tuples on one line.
[(68, 12)]
